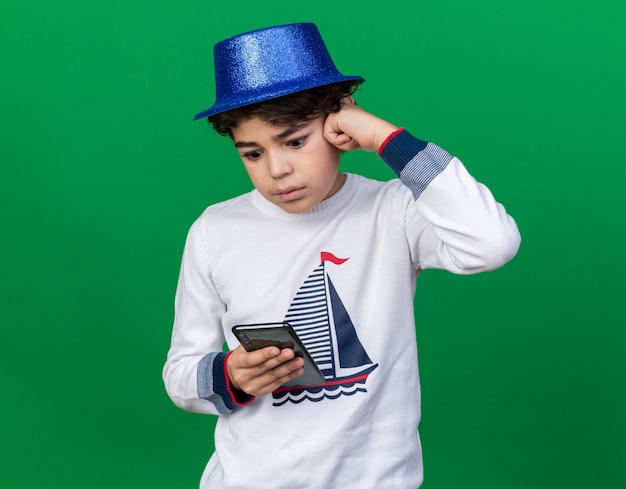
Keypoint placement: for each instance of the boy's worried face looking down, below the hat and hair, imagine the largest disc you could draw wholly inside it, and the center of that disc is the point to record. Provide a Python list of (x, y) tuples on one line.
[(294, 167)]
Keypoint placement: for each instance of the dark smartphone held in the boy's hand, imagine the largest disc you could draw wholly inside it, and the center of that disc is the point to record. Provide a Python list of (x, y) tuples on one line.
[(257, 336)]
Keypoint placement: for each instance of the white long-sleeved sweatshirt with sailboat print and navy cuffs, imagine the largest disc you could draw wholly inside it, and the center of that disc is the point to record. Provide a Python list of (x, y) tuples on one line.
[(344, 275)]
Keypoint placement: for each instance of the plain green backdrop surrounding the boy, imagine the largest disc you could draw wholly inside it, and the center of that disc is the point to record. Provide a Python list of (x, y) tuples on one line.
[(102, 172)]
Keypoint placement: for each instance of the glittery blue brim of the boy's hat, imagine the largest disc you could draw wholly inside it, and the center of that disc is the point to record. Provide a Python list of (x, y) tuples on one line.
[(272, 92)]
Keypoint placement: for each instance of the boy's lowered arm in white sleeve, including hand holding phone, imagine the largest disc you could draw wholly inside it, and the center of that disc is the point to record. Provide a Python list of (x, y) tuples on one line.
[(198, 375)]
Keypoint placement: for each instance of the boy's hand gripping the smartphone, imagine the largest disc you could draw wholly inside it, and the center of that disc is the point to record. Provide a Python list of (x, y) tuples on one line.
[(260, 372)]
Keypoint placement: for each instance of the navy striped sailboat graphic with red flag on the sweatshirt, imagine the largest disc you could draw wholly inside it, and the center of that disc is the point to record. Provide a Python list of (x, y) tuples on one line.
[(323, 324)]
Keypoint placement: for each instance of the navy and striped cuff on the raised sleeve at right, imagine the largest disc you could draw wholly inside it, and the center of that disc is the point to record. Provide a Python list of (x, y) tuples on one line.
[(416, 162)]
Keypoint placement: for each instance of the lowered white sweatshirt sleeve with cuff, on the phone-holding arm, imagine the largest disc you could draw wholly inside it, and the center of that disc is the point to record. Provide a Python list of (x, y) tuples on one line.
[(195, 373)]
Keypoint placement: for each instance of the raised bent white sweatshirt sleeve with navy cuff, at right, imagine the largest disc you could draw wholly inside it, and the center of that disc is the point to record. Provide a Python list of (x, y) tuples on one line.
[(454, 222)]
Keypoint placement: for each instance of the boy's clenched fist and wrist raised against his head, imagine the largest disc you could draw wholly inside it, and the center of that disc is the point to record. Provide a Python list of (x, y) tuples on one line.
[(353, 128)]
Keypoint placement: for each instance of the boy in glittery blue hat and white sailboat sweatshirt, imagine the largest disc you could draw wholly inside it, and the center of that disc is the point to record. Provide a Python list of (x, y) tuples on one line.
[(335, 255)]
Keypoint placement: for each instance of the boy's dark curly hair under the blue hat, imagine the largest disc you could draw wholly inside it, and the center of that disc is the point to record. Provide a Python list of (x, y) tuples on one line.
[(288, 109)]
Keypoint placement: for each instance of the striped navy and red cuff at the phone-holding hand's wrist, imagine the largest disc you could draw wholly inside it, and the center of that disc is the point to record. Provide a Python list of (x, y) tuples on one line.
[(214, 384)]
